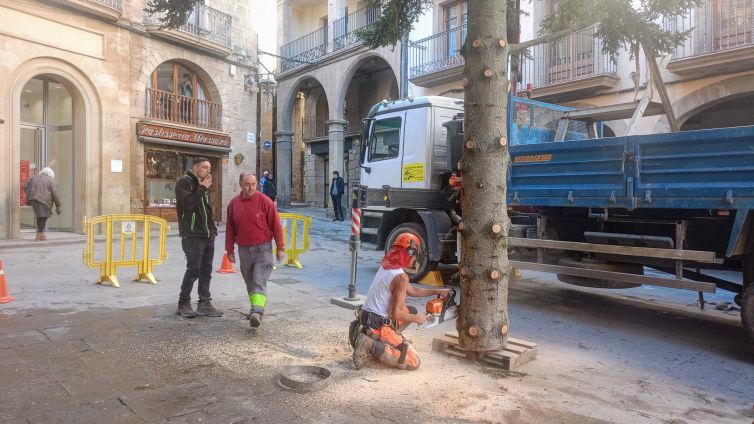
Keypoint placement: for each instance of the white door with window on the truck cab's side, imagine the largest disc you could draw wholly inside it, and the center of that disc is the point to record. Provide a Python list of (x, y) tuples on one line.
[(382, 156)]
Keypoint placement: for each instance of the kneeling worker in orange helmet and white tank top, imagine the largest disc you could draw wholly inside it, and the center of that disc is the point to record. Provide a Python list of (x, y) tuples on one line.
[(377, 330)]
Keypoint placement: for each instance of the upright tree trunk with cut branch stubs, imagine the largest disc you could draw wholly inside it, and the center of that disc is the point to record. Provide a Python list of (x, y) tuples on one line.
[(483, 317)]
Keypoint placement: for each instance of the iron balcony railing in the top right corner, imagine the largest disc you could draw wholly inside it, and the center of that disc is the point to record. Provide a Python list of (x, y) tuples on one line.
[(716, 25)]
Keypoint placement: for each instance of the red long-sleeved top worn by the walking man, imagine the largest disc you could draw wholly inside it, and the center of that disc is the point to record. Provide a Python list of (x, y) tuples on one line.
[(252, 221)]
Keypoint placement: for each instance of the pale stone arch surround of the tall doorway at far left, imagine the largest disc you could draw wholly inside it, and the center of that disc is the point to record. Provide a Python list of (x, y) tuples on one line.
[(87, 120)]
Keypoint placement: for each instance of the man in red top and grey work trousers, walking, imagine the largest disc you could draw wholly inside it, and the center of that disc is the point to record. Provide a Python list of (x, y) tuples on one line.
[(253, 222)]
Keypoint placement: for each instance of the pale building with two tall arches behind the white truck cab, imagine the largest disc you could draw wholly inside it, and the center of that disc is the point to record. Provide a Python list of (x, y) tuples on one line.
[(327, 81)]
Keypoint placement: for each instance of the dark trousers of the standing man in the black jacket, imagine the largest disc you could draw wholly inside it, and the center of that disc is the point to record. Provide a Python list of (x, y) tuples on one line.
[(199, 254)]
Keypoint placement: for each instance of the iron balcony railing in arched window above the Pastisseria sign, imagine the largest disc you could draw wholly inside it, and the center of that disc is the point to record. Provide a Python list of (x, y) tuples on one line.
[(190, 111)]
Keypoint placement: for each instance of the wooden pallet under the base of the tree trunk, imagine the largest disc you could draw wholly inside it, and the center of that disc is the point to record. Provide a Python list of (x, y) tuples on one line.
[(517, 353)]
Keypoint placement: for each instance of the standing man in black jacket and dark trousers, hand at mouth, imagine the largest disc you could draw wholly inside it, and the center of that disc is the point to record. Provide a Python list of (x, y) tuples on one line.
[(197, 230)]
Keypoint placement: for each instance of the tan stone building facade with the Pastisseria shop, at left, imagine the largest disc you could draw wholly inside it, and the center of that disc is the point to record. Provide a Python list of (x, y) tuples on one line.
[(119, 106)]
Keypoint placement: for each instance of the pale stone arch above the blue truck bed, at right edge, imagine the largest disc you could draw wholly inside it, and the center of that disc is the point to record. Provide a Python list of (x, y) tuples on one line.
[(709, 95)]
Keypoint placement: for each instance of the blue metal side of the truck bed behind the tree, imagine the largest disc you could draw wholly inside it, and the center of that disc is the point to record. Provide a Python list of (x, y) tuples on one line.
[(705, 169)]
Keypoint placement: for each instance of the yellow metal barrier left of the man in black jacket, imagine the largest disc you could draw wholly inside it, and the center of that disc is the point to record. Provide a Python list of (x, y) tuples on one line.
[(129, 227)]
